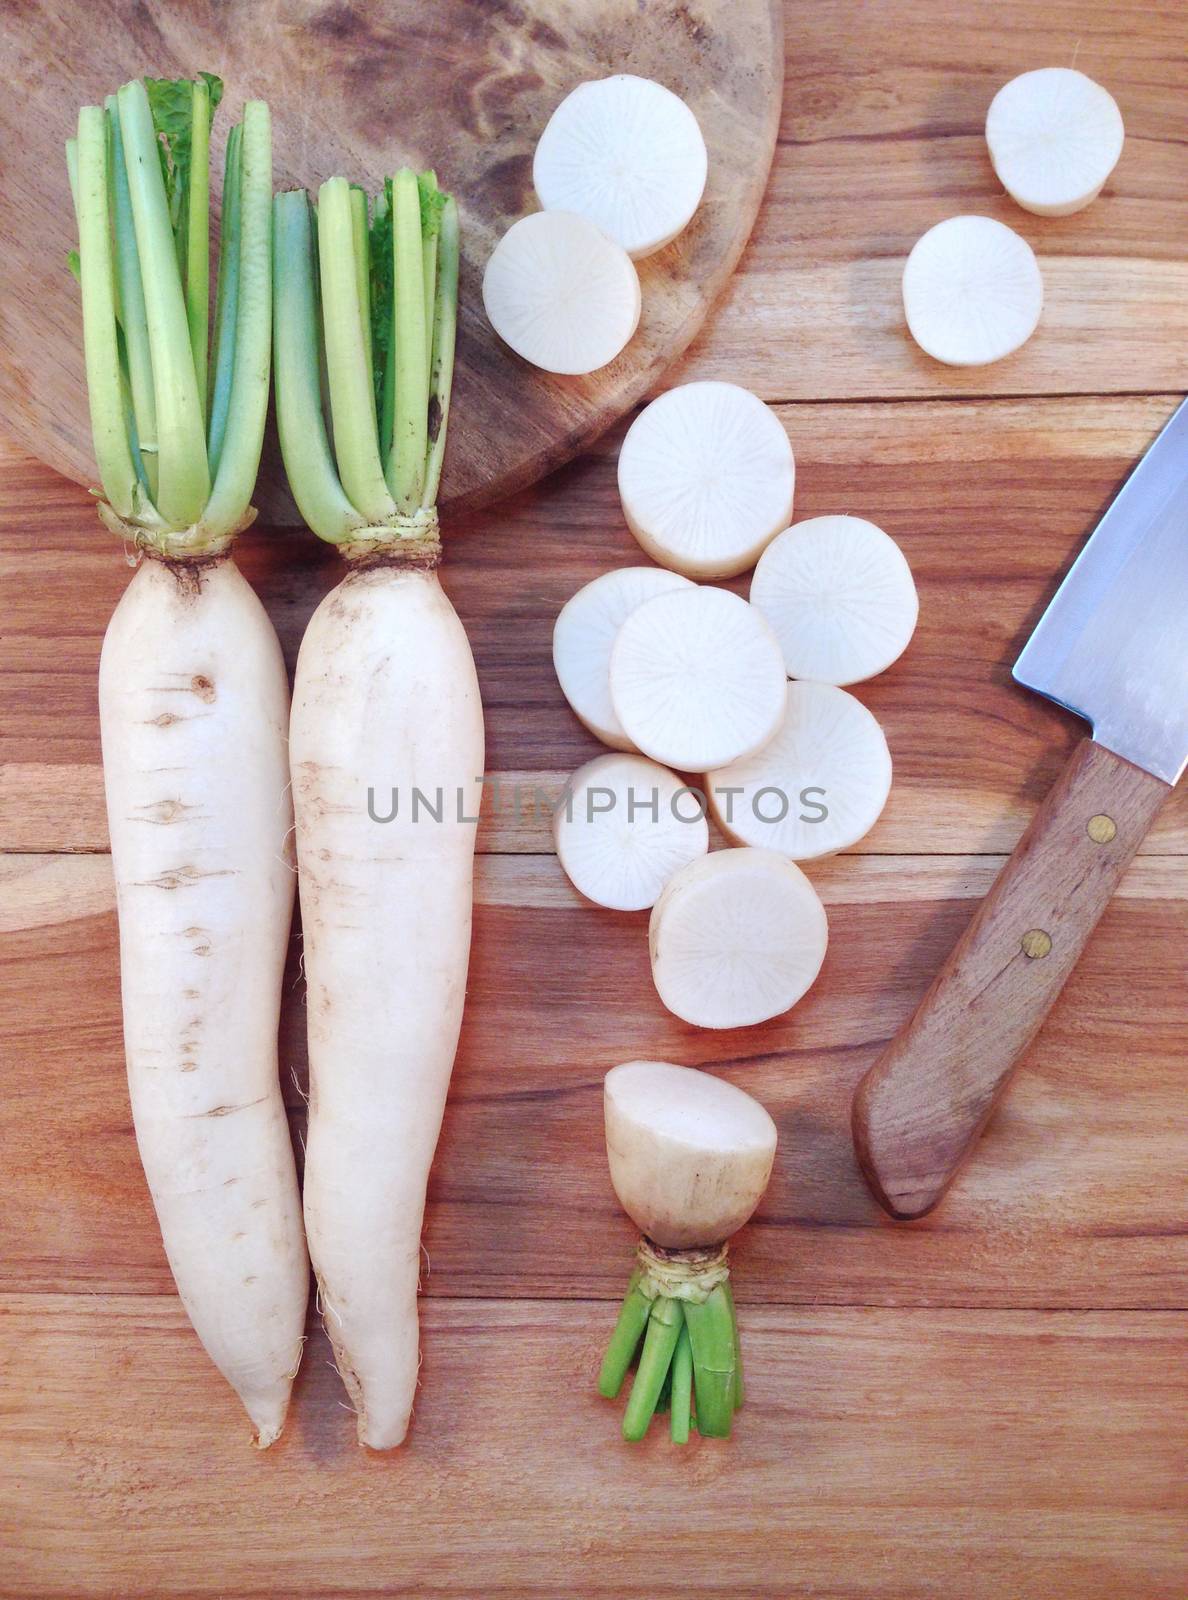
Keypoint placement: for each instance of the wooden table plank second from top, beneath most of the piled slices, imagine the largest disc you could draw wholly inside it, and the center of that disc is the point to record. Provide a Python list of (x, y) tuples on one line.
[(990, 502)]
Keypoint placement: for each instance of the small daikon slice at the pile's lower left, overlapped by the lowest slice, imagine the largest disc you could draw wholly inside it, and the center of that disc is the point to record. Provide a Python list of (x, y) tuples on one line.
[(627, 826)]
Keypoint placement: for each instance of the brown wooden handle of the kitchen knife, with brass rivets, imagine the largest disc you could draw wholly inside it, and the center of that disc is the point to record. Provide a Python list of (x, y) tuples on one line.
[(928, 1098)]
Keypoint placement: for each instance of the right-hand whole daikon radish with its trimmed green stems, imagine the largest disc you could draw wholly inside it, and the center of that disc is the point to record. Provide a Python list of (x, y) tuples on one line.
[(385, 692)]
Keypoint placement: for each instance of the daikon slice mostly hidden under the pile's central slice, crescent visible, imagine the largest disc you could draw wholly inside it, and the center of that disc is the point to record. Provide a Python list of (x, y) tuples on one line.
[(585, 633)]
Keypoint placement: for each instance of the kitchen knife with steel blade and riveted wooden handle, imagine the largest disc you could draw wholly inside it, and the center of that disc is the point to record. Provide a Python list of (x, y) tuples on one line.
[(1112, 647)]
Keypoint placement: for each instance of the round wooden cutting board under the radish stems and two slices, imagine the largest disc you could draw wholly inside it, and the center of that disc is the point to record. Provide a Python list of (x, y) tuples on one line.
[(363, 89)]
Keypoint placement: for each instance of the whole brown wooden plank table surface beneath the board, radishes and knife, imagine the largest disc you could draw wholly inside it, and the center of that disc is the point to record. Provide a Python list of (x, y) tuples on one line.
[(989, 1406)]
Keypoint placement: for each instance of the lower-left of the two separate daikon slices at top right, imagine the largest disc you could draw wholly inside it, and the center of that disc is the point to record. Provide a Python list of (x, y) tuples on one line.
[(973, 292)]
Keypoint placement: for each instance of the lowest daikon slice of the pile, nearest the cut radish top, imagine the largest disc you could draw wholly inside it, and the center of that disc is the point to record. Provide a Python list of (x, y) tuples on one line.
[(737, 938)]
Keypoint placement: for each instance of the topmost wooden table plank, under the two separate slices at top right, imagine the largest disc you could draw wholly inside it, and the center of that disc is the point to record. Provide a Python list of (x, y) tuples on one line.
[(883, 135)]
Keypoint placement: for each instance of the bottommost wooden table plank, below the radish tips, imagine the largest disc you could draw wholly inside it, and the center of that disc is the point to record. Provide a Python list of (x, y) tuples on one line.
[(880, 1455)]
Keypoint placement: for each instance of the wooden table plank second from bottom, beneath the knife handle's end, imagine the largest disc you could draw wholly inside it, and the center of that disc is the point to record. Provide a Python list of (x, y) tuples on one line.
[(1077, 1198)]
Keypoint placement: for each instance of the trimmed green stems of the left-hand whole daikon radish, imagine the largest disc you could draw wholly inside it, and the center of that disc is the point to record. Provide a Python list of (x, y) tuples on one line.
[(140, 177)]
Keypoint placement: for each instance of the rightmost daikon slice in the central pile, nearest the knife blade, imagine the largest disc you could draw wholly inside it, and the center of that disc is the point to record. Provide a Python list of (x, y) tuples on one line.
[(840, 598)]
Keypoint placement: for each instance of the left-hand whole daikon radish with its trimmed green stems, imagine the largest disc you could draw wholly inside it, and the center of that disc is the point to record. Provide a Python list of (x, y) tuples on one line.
[(195, 711)]
